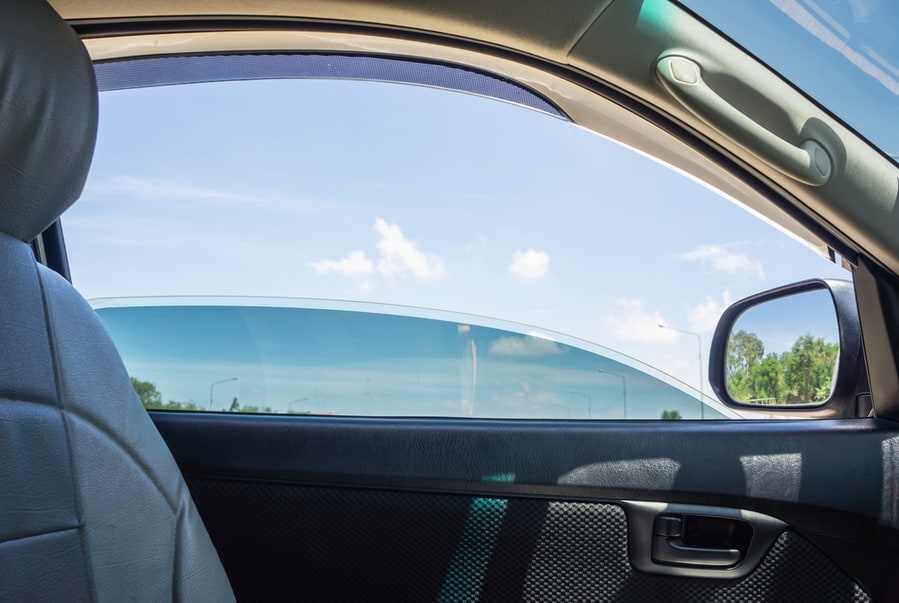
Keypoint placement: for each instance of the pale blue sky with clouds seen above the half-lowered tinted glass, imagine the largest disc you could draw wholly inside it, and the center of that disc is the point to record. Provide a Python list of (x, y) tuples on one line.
[(410, 195)]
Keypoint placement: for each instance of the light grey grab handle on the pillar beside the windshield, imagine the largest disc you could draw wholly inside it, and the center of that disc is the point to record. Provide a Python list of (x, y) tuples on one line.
[(808, 163)]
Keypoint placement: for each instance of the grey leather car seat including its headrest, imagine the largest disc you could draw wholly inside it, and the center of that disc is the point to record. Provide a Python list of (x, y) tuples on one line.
[(92, 504)]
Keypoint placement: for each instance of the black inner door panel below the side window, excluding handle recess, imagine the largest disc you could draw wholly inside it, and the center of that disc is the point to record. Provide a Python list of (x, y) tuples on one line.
[(415, 509)]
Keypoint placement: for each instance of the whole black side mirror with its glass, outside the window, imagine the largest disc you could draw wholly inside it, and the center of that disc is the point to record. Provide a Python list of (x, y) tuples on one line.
[(791, 350)]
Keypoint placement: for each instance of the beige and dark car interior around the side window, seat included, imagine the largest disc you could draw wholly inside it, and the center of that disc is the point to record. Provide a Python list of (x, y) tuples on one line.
[(104, 501)]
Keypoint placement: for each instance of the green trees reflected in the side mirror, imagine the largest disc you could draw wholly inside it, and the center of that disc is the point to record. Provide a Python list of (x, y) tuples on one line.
[(802, 375)]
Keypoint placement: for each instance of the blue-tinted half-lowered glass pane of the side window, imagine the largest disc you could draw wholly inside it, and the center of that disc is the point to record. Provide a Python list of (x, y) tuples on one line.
[(274, 356)]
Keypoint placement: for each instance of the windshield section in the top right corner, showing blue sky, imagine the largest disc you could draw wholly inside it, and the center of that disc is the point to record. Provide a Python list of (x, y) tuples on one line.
[(842, 53)]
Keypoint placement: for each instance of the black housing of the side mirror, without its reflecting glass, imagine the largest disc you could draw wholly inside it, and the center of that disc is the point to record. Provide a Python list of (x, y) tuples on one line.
[(850, 387)]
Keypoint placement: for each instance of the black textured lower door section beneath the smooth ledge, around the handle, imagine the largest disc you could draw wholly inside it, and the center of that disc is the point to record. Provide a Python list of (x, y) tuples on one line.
[(340, 544)]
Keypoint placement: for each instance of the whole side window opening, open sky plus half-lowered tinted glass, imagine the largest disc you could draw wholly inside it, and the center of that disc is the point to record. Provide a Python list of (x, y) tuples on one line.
[(417, 197)]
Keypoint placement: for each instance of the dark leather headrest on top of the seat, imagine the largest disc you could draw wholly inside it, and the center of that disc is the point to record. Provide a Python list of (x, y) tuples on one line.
[(48, 117)]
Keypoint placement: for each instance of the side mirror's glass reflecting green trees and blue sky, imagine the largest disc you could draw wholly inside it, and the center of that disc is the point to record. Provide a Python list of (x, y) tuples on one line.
[(784, 351)]
